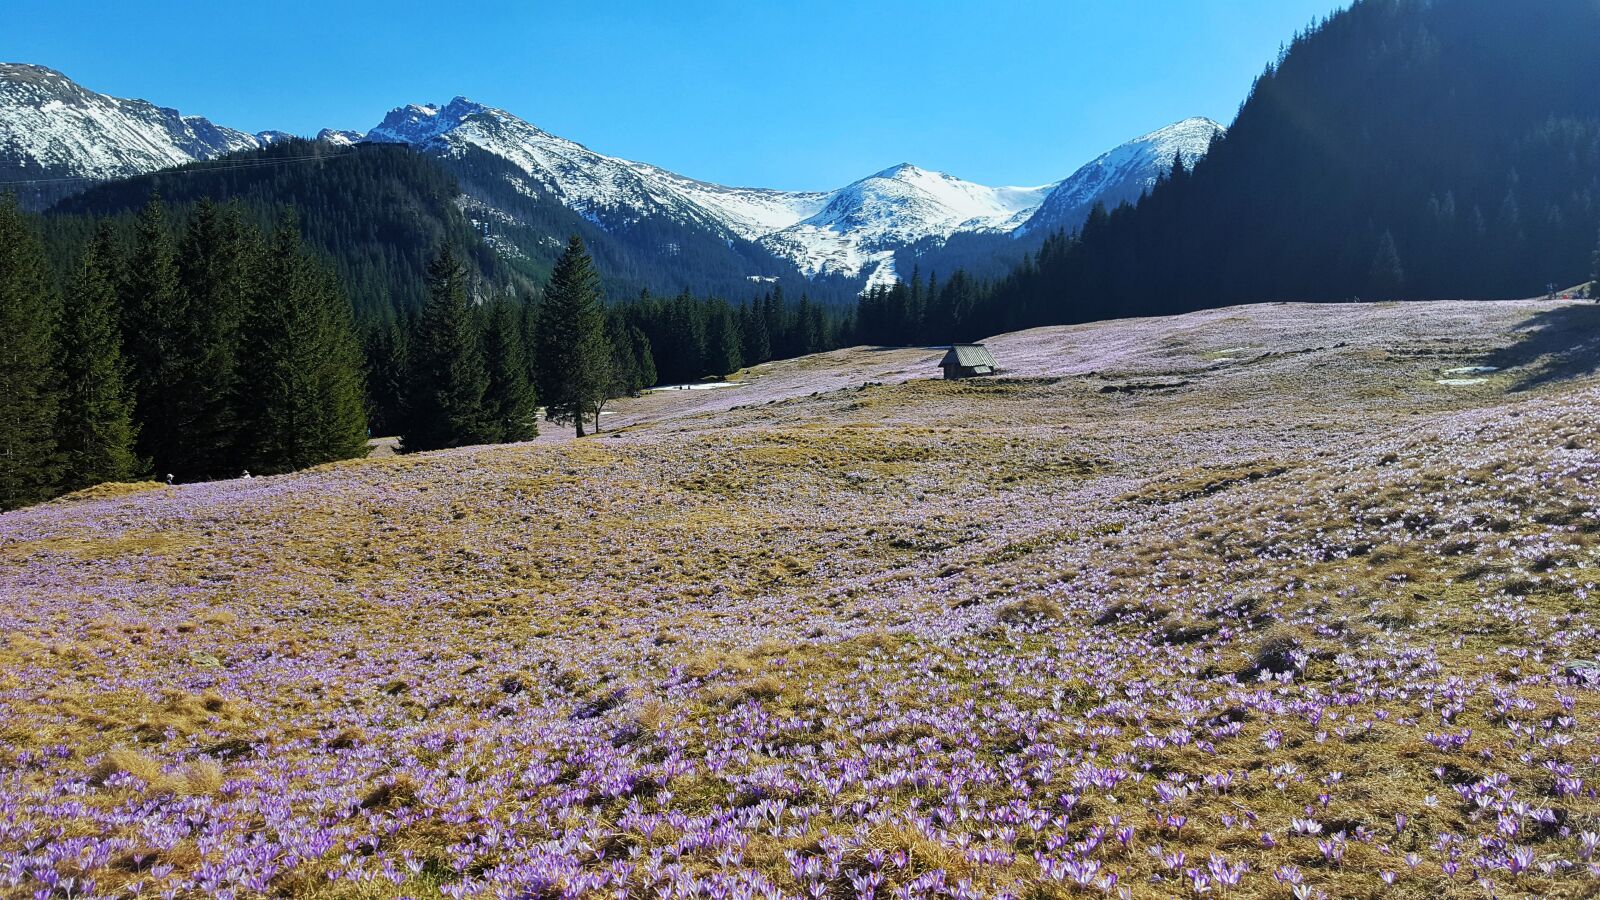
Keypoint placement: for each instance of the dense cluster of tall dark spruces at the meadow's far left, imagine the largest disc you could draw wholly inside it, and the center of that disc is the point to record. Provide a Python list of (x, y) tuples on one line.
[(201, 355)]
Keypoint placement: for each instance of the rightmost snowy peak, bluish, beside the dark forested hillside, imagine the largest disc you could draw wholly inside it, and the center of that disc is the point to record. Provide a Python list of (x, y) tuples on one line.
[(1122, 174)]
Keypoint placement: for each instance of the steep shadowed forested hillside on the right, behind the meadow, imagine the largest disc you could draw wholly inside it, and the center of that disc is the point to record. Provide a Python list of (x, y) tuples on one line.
[(1406, 150)]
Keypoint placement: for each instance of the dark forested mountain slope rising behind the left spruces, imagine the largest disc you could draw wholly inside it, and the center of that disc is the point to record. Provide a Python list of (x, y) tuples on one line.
[(378, 212)]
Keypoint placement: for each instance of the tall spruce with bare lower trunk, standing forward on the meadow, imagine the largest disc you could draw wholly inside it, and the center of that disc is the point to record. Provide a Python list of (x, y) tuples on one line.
[(574, 353)]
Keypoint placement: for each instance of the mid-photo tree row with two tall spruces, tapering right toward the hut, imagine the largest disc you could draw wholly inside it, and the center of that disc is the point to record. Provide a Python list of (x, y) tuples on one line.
[(471, 371)]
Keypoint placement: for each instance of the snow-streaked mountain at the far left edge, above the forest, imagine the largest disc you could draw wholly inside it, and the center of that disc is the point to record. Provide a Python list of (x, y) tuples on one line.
[(52, 127)]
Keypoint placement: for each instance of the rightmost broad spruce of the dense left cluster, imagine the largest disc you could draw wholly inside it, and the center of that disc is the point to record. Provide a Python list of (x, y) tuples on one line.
[(302, 393)]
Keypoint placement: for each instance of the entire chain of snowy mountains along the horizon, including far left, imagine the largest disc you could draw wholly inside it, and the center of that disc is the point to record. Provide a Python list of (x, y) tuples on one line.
[(52, 127)]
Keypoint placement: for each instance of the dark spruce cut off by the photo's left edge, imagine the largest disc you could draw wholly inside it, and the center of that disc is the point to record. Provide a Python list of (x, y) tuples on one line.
[(28, 379)]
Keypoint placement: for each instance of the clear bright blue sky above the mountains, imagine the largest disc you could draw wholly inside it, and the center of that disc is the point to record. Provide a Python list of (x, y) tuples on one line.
[(774, 94)]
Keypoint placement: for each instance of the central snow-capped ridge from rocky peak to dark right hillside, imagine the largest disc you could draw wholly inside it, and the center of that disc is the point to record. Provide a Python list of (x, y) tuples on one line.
[(854, 231)]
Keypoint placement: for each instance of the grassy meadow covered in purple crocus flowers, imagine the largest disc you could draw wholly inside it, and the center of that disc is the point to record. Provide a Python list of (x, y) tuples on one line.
[(1286, 601)]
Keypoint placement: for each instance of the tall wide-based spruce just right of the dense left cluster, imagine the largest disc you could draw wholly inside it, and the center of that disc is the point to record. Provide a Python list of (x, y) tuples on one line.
[(449, 377)]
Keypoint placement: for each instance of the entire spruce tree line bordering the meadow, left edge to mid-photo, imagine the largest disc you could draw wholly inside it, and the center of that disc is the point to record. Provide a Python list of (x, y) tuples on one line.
[(215, 345)]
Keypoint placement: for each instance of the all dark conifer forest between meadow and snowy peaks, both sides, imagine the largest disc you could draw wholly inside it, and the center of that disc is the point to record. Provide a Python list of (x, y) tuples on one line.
[(335, 294)]
